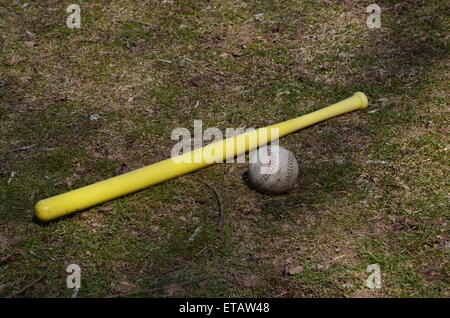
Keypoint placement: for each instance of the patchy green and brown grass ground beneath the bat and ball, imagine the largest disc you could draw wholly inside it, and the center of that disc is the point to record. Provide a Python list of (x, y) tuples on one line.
[(372, 188)]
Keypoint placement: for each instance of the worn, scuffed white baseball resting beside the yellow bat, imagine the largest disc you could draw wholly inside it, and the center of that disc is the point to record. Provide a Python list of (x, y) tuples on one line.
[(273, 170)]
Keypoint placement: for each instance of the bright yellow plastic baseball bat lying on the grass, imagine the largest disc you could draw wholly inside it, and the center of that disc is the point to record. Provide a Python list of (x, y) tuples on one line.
[(91, 195)]
